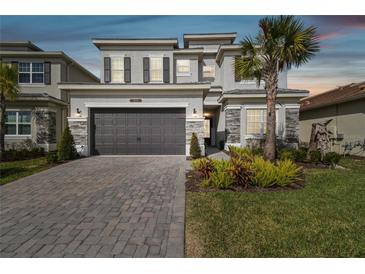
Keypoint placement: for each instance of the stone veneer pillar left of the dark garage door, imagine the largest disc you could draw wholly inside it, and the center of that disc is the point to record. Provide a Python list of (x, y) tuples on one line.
[(78, 128)]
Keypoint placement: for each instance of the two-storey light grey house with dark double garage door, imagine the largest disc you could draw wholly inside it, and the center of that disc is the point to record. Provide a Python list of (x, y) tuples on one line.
[(153, 95)]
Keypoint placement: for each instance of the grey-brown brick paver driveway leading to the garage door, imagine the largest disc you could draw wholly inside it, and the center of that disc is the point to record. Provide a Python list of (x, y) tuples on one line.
[(97, 207)]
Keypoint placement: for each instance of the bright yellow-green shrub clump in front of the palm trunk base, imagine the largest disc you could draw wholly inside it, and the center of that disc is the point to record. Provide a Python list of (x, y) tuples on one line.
[(266, 174)]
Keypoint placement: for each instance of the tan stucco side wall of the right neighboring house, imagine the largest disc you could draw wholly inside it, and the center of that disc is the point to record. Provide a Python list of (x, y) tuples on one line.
[(348, 119)]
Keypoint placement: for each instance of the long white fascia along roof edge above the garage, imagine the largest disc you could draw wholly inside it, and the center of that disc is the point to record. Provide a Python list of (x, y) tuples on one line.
[(134, 87)]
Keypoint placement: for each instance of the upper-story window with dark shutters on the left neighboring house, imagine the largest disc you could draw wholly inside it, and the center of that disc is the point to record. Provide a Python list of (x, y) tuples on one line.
[(31, 73)]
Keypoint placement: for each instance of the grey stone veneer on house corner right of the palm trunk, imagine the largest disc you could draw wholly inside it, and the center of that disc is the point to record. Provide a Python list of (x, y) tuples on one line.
[(292, 126)]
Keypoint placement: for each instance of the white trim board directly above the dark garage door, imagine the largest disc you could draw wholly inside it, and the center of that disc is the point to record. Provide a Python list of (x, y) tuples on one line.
[(135, 105)]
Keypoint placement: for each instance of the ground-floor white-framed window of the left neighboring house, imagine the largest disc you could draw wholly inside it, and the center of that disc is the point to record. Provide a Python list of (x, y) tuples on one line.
[(18, 123)]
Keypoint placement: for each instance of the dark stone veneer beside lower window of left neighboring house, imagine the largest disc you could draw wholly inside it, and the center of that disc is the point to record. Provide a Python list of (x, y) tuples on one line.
[(46, 126)]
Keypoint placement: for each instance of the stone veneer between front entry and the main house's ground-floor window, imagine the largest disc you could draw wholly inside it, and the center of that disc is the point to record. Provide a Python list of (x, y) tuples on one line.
[(233, 124)]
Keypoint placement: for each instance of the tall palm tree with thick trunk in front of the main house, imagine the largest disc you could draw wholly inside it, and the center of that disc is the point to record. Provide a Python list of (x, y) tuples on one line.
[(282, 42)]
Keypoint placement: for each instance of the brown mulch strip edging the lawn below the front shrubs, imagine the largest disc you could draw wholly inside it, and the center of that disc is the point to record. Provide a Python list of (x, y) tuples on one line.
[(193, 184)]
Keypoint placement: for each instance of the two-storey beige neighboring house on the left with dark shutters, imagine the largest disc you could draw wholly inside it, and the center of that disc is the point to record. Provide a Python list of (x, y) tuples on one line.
[(39, 113)]
